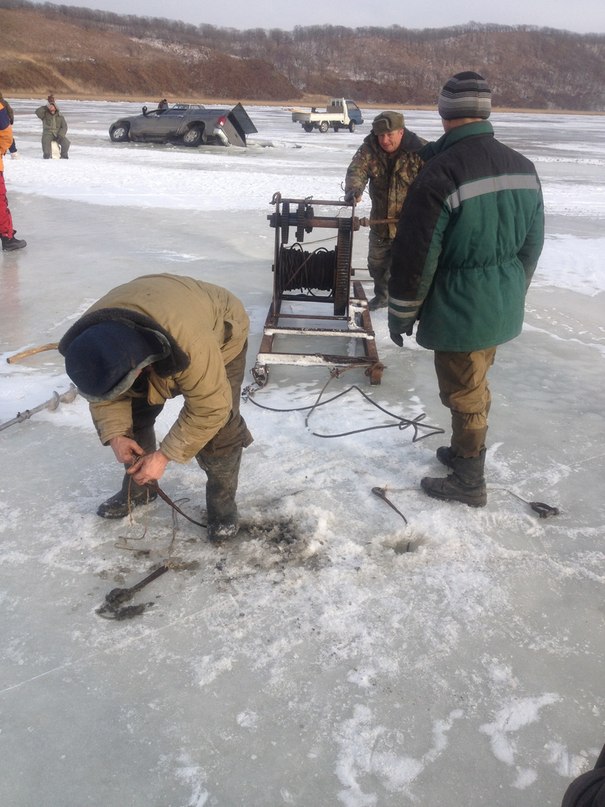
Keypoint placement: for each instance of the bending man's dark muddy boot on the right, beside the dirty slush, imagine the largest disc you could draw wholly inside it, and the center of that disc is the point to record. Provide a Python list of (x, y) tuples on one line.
[(221, 487)]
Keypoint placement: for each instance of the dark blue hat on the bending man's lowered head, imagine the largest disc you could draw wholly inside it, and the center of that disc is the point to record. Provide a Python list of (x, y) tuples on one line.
[(104, 360)]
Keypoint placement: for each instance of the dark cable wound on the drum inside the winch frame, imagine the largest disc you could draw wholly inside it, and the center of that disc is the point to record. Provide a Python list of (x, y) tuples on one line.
[(305, 271)]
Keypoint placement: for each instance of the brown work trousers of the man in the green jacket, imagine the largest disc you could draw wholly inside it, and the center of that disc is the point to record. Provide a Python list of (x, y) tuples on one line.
[(463, 388)]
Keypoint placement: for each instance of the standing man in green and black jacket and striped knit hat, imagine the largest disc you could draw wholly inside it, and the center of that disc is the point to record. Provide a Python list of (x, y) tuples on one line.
[(468, 241)]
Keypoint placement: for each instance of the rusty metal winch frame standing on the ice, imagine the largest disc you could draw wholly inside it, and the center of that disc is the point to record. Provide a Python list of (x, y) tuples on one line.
[(315, 280)]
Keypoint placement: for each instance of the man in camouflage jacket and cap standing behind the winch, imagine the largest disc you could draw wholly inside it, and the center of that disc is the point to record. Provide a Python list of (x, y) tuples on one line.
[(388, 159)]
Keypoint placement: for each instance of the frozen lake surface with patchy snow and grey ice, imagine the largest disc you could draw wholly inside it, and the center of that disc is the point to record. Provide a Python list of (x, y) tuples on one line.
[(332, 655)]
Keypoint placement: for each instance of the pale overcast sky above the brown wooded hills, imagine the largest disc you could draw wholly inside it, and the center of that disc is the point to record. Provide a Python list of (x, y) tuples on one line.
[(583, 16)]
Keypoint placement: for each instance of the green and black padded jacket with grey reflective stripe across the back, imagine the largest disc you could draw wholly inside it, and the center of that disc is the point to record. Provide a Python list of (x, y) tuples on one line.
[(471, 233)]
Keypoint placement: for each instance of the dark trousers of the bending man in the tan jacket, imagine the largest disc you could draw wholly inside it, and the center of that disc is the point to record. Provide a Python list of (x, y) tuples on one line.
[(234, 434)]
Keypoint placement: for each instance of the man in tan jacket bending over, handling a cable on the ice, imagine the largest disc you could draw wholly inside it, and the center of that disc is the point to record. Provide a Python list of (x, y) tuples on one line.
[(155, 338)]
